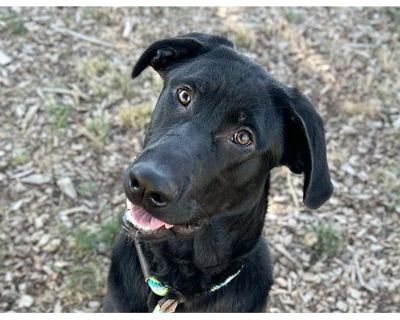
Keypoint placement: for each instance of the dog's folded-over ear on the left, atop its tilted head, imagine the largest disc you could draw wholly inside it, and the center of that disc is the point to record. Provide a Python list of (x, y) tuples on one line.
[(162, 54)]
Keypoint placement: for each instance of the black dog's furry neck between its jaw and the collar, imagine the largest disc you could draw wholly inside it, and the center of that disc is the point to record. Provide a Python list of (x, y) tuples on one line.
[(193, 263)]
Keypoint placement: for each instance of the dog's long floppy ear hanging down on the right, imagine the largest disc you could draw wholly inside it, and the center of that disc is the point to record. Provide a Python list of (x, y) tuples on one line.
[(304, 145)]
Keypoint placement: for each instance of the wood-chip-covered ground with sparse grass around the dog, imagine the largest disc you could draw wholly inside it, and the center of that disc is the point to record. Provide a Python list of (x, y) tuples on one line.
[(72, 119)]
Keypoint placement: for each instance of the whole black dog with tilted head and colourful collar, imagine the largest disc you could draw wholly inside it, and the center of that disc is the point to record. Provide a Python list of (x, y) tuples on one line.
[(197, 194)]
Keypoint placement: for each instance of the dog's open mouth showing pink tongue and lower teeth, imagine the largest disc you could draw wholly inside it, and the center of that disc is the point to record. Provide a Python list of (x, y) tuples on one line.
[(142, 220)]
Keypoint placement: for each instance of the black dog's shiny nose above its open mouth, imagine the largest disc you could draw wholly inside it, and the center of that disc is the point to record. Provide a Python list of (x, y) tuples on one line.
[(151, 186)]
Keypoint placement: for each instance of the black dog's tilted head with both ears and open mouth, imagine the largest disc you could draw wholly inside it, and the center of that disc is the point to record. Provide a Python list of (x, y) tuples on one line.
[(220, 125)]
